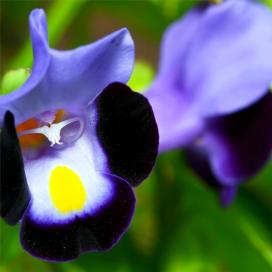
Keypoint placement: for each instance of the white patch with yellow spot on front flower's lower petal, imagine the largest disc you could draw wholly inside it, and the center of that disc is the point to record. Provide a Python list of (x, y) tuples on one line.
[(79, 159)]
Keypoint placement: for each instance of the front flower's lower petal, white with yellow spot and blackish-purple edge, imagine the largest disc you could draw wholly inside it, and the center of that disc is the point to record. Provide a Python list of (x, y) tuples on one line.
[(74, 207)]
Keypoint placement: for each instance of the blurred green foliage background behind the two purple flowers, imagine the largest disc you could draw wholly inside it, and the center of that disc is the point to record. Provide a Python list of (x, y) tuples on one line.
[(178, 224)]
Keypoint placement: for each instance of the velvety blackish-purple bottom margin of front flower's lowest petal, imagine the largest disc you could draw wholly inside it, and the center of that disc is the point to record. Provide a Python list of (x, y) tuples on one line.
[(96, 232)]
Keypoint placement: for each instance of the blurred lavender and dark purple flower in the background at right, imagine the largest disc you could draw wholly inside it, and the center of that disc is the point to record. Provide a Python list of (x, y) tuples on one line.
[(211, 94)]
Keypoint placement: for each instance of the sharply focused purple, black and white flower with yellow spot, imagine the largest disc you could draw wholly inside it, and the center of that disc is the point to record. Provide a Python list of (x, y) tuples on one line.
[(84, 140)]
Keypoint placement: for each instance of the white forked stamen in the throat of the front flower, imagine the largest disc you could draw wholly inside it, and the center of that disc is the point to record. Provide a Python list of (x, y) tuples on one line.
[(52, 133)]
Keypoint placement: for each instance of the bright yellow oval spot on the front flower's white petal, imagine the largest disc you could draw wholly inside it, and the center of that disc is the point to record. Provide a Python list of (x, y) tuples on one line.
[(67, 191)]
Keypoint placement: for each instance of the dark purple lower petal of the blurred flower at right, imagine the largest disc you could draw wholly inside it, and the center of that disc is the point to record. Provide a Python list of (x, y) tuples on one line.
[(240, 144)]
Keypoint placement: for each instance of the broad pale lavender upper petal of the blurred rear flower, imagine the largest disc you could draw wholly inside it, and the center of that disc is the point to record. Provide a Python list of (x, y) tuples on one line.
[(219, 56)]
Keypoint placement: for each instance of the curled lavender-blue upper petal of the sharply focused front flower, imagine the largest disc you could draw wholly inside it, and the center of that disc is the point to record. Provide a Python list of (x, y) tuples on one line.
[(69, 79)]
